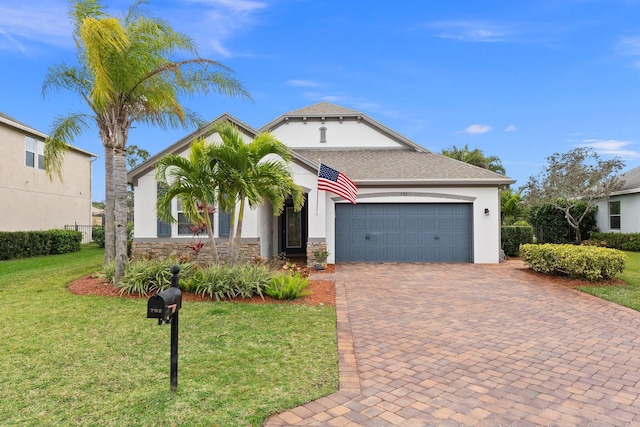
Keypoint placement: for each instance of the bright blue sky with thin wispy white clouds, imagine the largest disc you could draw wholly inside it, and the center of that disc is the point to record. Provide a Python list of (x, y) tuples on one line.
[(520, 80)]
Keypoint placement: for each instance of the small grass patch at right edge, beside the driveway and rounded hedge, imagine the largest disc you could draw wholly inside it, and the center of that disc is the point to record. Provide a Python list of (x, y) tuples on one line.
[(628, 296)]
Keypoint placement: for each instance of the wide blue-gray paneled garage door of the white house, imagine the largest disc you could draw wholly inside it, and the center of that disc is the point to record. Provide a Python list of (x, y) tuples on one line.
[(403, 232)]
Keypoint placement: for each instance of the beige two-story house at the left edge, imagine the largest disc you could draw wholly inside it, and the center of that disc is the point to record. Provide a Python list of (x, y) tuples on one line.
[(30, 200)]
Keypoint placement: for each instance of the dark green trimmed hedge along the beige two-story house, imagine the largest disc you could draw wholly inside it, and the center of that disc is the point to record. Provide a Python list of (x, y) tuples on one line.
[(25, 244)]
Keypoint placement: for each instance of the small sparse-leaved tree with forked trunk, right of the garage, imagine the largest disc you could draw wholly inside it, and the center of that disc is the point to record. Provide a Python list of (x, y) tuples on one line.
[(578, 177)]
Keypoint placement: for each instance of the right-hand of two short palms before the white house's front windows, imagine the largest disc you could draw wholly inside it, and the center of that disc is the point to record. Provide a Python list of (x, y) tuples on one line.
[(252, 172)]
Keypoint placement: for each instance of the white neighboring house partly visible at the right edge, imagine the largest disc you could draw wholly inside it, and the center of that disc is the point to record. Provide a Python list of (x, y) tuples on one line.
[(621, 211)]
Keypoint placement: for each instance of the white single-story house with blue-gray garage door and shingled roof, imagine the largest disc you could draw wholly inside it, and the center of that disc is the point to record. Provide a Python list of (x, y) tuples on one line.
[(412, 206)]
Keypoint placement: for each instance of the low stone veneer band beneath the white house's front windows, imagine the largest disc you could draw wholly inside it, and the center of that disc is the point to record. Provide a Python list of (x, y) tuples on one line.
[(181, 250)]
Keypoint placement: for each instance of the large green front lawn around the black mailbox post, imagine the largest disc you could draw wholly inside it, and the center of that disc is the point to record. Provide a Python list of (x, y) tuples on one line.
[(68, 360)]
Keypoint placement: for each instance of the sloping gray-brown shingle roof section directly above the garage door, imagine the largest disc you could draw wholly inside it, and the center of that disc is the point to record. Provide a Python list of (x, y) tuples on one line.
[(401, 167)]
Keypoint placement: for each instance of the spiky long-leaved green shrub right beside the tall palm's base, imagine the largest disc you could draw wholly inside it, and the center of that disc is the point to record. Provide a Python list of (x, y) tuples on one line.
[(145, 277)]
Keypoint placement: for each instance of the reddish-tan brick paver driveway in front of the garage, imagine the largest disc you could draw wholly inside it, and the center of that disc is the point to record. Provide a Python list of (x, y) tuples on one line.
[(464, 344)]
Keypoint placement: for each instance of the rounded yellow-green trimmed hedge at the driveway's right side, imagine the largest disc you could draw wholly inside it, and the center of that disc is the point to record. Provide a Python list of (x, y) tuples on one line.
[(588, 263)]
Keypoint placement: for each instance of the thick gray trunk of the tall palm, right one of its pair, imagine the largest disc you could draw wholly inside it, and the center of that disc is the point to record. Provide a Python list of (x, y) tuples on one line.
[(120, 190)]
